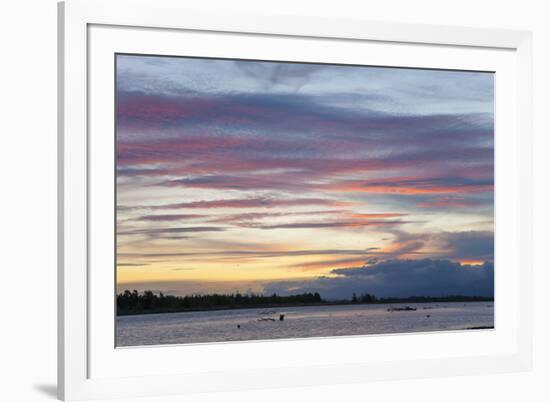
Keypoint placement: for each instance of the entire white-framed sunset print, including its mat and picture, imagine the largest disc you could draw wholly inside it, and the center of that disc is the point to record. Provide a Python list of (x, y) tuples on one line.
[(245, 197)]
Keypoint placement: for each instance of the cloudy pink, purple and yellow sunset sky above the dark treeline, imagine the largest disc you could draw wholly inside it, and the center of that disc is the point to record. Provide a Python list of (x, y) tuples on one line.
[(256, 176)]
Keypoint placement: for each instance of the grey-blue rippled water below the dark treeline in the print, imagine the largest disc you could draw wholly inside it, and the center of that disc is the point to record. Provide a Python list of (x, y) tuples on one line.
[(299, 322)]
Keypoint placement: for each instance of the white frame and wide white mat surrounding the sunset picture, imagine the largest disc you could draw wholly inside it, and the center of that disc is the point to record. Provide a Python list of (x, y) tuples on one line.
[(89, 367)]
